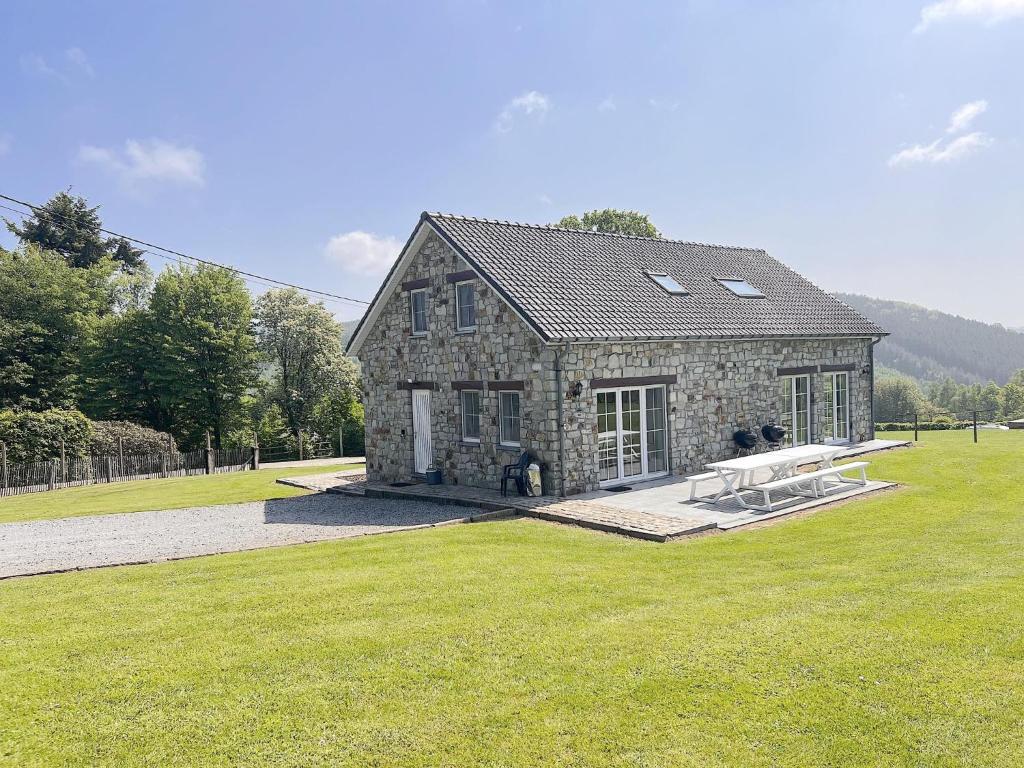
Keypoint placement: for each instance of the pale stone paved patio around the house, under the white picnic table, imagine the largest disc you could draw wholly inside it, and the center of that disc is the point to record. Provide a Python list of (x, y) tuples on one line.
[(658, 510)]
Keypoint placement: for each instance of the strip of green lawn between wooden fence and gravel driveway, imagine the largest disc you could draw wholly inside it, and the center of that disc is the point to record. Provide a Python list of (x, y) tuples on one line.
[(174, 493)]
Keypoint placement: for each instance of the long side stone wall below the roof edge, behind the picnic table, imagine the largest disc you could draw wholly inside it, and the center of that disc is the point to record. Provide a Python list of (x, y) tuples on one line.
[(721, 387)]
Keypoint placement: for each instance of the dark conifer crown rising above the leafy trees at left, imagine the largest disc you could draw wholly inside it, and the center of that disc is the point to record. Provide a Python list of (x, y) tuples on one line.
[(67, 225)]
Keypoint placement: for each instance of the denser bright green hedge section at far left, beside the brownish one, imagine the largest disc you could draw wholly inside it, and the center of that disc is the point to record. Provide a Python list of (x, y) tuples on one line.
[(34, 437)]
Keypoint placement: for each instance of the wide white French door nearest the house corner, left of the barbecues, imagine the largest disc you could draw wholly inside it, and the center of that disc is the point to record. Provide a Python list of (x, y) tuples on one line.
[(632, 439)]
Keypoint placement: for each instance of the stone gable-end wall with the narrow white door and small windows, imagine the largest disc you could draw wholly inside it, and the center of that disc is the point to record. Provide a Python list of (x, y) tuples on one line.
[(502, 349)]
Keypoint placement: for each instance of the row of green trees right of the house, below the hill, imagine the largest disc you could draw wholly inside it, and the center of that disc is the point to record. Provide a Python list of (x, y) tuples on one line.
[(899, 398)]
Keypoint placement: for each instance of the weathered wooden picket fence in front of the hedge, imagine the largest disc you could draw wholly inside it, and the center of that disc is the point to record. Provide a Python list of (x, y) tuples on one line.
[(90, 471)]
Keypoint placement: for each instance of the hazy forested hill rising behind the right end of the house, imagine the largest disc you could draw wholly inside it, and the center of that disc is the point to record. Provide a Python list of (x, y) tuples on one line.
[(930, 346)]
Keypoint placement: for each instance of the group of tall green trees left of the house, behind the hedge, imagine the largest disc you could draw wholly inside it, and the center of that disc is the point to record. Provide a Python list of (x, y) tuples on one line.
[(86, 326)]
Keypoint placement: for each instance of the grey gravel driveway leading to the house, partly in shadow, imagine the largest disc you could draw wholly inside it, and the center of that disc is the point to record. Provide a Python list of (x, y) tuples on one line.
[(46, 546)]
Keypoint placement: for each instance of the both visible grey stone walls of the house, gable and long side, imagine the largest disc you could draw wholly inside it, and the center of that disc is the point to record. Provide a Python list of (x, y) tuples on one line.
[(720, 387)]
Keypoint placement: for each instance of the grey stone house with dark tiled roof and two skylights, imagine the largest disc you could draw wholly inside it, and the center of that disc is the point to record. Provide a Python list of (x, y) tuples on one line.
[(610, 359)]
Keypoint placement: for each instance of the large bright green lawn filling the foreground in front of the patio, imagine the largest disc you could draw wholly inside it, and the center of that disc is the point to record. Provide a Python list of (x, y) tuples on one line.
[(885, 632)]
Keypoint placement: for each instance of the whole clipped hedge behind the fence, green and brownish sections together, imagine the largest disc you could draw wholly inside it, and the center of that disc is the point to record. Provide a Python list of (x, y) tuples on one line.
[(32, 437)]
